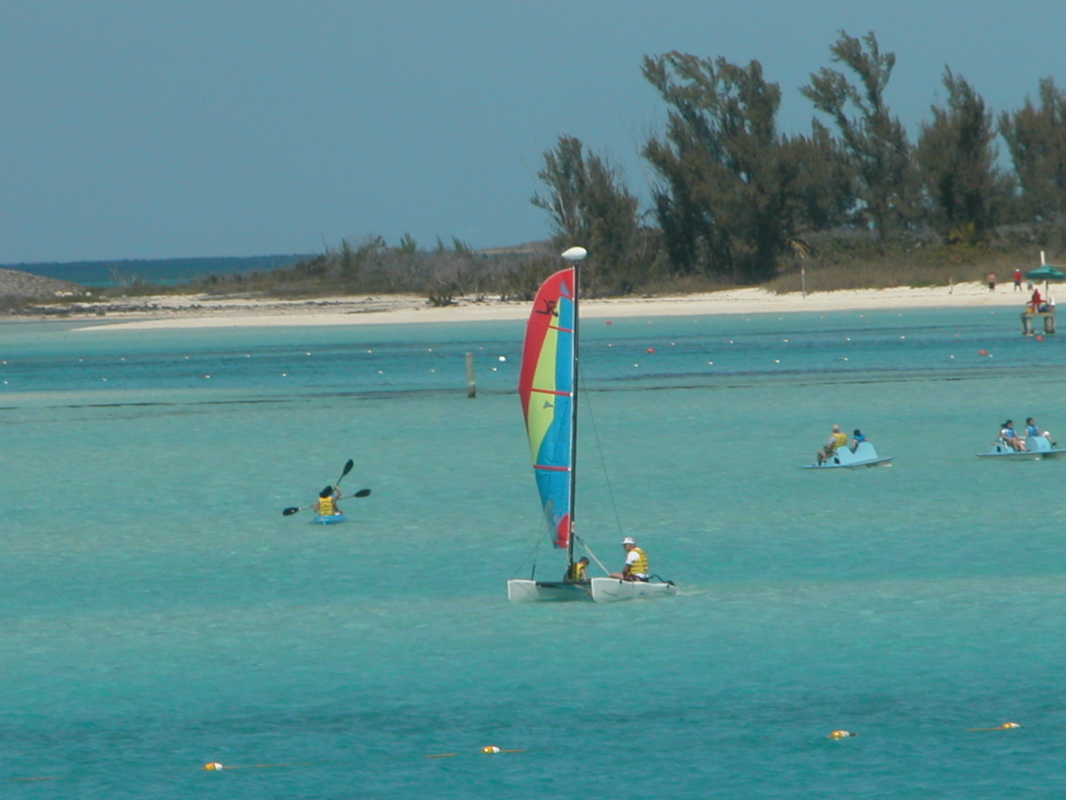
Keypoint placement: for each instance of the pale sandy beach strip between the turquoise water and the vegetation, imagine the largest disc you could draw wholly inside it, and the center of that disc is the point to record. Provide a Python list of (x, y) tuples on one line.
[(203, 312)]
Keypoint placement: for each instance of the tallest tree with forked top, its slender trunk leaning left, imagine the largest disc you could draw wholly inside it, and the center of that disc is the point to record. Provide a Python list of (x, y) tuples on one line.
[(876, 140)]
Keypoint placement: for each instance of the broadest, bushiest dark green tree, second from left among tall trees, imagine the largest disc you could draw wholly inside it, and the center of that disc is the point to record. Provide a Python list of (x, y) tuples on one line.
[(724, 203)]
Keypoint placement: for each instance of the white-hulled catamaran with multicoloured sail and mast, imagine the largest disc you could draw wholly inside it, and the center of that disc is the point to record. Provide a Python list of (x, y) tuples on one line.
[(548, 389)]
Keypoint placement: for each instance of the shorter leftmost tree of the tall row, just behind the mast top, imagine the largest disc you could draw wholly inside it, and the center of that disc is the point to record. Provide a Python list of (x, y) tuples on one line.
[(591, 206)]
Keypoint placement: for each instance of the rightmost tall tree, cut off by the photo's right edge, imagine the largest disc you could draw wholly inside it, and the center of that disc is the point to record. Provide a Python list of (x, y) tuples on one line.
[(1037, 140)]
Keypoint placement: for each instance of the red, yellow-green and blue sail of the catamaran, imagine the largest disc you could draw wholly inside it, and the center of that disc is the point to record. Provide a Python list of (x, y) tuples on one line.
[(546, 387)]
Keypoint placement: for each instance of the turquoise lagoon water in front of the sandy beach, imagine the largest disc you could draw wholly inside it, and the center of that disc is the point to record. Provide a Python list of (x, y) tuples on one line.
[(160, 614)]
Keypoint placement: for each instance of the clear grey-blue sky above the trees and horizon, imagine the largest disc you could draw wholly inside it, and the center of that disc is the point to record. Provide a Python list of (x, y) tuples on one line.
[(184, 129)]
